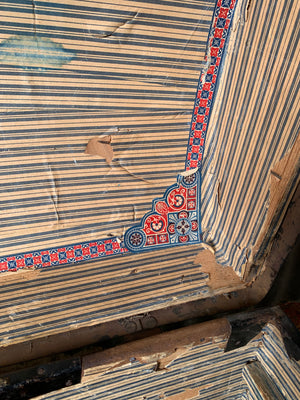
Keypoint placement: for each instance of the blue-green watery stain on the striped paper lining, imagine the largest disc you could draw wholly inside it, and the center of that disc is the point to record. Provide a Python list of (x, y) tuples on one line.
[(34, 52)]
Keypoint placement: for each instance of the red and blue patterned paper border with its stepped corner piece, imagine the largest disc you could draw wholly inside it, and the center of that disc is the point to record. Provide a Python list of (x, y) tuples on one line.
[(169, 222)]
